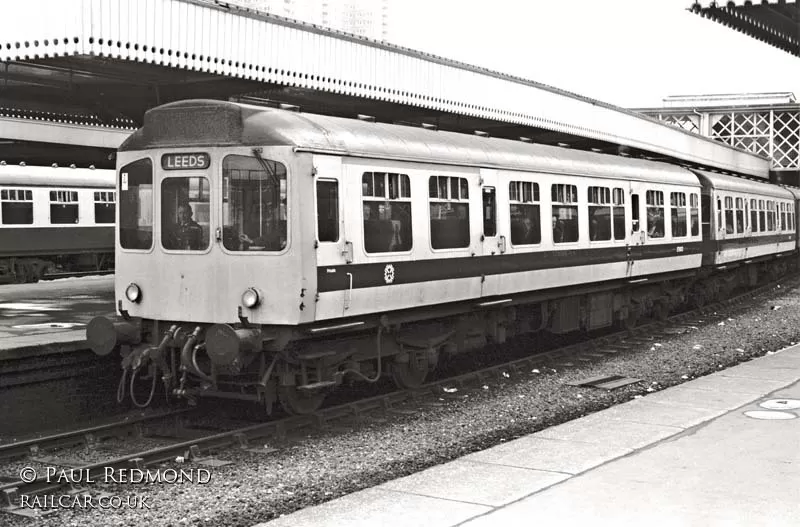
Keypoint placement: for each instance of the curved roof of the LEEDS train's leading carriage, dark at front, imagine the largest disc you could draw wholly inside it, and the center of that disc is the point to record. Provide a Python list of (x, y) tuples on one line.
[(186, 124)]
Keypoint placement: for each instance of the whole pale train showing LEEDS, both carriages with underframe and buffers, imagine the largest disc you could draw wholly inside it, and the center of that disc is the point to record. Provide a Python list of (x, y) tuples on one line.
[(270, 255)]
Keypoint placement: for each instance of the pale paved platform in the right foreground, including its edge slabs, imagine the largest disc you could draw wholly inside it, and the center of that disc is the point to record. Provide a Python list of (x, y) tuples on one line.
[(721, 450)]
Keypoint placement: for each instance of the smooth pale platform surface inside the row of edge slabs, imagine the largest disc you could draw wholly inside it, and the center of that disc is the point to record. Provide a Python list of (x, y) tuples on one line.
[(735, 471)]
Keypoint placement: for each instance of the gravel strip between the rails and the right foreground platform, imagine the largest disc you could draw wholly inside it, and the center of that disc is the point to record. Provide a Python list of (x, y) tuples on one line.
[(325, 465)]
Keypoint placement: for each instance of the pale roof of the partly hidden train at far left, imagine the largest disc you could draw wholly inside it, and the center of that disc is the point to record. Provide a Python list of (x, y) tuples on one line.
[(30, 176)]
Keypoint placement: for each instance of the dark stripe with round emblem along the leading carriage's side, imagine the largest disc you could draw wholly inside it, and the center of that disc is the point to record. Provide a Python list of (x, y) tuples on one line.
[(335, 278)]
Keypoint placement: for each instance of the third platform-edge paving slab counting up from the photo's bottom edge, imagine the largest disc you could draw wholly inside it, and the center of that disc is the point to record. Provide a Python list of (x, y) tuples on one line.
[(555, 455)]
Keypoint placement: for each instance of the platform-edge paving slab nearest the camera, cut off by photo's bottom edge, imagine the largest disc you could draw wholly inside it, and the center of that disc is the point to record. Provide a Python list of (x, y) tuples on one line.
[(384, 508)]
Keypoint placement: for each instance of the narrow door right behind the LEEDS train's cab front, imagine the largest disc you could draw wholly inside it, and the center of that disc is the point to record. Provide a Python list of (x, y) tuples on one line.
[(331, 242)]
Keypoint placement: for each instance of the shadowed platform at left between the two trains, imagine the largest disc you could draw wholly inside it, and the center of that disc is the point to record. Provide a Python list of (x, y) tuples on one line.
[(50, 317)]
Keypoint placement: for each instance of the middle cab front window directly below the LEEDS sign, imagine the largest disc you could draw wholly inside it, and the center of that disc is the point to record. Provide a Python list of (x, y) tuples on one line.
[(185, 213)]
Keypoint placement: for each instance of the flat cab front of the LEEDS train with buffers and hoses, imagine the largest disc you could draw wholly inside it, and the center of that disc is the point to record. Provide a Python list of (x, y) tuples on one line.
[(208, 267)]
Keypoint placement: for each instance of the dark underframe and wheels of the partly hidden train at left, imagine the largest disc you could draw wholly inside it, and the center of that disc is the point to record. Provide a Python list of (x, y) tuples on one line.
[(30, 269)]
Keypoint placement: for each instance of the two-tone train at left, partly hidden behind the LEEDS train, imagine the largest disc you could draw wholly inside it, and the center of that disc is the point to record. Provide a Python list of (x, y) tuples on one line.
[(54, 218)]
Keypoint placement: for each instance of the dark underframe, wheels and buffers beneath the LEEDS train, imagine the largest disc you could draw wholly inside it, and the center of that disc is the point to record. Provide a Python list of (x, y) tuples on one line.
[(297, 367)]
